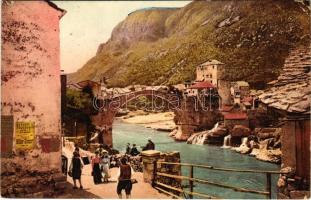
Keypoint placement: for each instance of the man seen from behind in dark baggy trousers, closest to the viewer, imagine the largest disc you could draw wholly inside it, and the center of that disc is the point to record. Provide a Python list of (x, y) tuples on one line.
[(125, 176)]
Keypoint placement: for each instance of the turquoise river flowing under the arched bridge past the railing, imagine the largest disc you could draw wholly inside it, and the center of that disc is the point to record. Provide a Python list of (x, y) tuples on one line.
[(202, 154)]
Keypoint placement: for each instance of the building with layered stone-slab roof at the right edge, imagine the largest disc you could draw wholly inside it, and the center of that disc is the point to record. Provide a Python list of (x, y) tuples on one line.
[(289, 99)]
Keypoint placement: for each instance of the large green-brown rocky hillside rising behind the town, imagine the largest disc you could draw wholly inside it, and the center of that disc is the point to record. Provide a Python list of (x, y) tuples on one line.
[(163, 46)]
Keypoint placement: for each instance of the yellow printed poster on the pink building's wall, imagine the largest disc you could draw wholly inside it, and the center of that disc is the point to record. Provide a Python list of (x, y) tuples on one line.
[(24, 135)]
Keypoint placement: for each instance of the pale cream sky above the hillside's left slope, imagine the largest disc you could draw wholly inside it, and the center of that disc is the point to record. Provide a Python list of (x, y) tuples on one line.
[(88, 24)]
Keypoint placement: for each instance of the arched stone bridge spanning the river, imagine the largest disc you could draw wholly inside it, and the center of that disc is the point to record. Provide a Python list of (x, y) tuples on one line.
[(189, 111)]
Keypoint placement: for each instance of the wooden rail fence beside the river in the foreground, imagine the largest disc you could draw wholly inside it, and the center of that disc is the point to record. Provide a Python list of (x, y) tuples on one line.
[(167, 188)]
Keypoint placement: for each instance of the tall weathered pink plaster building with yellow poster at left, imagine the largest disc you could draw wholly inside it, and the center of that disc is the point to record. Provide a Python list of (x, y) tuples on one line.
[(30, 99)]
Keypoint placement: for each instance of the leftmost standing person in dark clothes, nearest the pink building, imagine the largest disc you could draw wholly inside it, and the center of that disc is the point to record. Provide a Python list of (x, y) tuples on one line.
[(75, 169)]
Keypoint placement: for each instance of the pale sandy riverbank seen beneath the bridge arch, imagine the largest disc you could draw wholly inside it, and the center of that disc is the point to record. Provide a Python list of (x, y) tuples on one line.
[(159, 121)]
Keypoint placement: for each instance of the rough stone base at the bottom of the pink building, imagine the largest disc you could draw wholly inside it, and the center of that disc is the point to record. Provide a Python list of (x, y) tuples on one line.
[(20, 183)]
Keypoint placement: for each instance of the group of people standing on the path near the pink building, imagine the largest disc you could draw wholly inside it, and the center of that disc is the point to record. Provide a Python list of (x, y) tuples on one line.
[(100, 170)]
